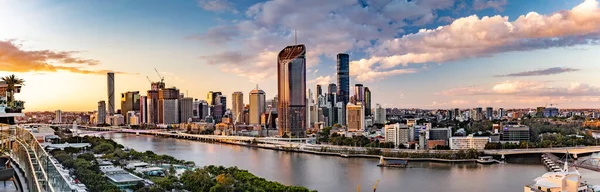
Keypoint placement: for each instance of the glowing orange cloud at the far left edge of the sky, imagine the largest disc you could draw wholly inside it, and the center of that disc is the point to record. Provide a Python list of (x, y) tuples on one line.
[(14, 59)]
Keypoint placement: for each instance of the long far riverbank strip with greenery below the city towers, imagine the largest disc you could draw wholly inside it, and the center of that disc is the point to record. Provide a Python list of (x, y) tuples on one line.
[(468, 156)]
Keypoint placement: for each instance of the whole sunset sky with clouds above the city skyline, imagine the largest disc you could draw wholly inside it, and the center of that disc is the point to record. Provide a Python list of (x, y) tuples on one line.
[(410, 53)]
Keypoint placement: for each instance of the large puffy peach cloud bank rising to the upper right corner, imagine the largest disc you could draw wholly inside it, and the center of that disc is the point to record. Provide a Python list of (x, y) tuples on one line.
[(472, 36)]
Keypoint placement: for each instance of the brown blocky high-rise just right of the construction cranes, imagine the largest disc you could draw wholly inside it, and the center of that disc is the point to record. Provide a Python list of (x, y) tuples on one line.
[(167, 106)]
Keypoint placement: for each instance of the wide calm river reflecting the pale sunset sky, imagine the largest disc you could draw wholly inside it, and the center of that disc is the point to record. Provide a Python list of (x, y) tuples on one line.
[(330, 173)]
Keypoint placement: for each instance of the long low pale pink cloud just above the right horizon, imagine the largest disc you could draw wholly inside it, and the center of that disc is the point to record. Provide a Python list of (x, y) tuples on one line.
[(527, 88)]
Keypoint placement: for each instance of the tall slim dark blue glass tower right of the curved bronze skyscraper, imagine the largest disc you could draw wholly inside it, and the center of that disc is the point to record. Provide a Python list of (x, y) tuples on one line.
[(343, 77)]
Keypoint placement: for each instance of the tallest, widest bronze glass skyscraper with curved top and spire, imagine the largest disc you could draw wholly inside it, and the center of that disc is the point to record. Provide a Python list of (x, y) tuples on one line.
[(291, 86)]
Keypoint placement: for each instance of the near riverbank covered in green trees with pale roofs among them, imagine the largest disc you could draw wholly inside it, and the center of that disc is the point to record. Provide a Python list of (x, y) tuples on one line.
[(87, 168)]
